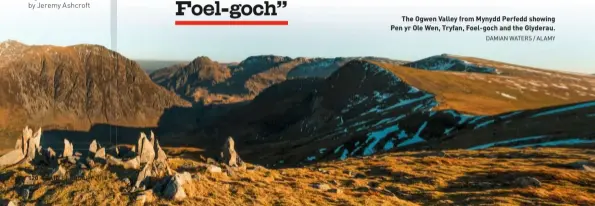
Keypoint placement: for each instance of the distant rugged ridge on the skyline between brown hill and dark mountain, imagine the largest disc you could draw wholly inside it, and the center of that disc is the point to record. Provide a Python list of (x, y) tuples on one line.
[(210, 82)]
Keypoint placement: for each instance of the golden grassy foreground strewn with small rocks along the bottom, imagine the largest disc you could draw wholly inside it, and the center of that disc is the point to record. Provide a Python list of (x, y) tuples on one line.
[(411, 178)]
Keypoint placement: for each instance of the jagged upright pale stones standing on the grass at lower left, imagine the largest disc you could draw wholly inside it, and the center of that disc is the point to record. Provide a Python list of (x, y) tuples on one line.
[(147, 156)]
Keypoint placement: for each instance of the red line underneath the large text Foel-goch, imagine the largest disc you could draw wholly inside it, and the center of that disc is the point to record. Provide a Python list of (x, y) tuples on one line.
[(232, 23)]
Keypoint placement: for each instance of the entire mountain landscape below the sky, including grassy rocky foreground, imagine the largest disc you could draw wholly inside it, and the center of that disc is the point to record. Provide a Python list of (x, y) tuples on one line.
[(83, 125)]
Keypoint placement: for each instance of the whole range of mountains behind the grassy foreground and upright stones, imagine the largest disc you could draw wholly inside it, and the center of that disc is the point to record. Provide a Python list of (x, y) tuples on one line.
[(288, 111)]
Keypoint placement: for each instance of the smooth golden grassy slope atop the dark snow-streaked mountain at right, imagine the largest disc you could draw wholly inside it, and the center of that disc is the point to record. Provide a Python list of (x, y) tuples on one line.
[(473, 93)]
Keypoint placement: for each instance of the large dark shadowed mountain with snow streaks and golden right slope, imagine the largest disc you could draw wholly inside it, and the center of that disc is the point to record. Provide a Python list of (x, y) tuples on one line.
[(367, 107)]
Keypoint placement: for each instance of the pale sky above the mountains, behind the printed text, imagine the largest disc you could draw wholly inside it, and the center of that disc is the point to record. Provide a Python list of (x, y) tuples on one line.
[(317, 28)]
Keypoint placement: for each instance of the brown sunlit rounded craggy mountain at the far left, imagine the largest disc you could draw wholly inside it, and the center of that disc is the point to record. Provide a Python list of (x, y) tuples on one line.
[(75, 87)]
